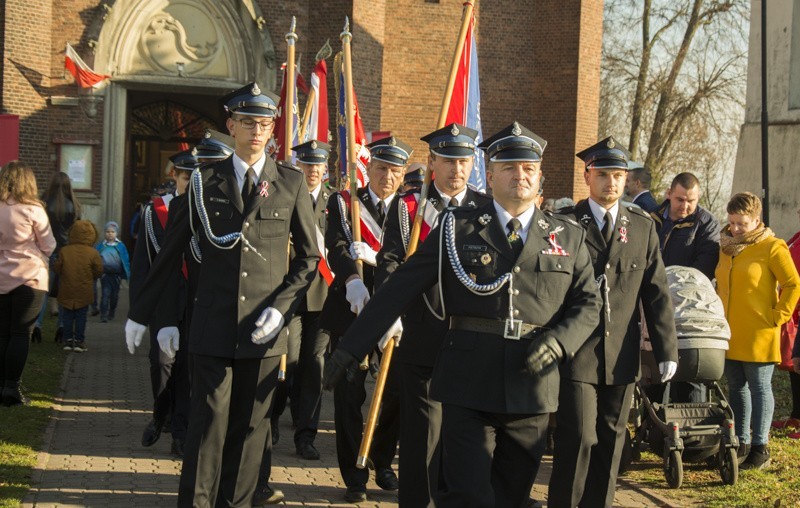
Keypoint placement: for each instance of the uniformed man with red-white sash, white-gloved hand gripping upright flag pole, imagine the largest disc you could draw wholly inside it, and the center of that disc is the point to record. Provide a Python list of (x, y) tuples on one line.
[(347, 296)]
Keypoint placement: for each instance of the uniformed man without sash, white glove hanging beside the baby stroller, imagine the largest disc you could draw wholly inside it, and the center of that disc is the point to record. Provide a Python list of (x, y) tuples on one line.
[(597, 385)]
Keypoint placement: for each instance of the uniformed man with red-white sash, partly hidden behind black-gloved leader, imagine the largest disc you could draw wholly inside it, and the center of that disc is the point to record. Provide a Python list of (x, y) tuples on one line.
[(452, 153)]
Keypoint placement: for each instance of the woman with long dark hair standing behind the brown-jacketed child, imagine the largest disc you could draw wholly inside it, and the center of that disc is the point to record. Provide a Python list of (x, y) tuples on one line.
[(63, 209)]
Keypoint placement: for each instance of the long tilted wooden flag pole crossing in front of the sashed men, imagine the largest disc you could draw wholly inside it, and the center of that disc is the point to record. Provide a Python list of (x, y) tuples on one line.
[(377, 395)]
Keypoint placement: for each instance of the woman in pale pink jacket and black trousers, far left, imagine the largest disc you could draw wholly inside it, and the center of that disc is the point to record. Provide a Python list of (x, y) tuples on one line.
[(26, 241)]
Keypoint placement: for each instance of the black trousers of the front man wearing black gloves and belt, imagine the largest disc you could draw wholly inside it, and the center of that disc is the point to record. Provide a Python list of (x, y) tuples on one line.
[(488, 459)]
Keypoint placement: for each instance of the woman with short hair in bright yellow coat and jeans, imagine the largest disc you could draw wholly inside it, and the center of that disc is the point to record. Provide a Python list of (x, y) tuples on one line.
[(753, 264)]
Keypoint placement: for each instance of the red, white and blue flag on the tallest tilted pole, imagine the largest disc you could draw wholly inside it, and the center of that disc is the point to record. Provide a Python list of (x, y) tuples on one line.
[(465, 104)]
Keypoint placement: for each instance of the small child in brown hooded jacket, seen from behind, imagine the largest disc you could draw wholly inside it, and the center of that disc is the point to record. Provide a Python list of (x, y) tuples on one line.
[(78, 265)]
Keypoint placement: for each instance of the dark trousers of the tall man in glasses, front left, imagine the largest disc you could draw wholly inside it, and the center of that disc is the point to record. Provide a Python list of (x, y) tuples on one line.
[(228, 429)]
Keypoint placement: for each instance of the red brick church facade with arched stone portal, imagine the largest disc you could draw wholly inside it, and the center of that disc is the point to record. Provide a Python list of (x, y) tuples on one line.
[(170, 61)]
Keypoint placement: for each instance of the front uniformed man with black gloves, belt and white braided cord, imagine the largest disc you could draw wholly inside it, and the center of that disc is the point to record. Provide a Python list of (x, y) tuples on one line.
[(519, 296)]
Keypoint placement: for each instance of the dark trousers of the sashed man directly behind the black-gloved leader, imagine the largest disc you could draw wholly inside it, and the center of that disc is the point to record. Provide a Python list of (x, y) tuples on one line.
[(420, 454)]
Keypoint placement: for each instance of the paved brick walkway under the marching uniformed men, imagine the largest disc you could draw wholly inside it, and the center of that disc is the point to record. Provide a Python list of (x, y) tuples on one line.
[(93, 455)]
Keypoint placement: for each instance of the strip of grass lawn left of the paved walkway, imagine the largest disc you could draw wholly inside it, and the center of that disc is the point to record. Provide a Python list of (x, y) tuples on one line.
[(22, 428)]
